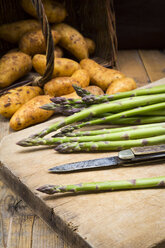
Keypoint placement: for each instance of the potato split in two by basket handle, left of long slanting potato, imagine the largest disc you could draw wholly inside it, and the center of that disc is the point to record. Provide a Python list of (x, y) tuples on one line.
[(33, 42)]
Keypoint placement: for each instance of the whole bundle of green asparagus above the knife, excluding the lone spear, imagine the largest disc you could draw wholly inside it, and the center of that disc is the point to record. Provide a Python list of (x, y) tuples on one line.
[(128, 108)]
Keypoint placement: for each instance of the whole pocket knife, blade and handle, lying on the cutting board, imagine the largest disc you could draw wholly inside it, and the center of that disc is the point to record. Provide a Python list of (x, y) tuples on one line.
[(130, 157)]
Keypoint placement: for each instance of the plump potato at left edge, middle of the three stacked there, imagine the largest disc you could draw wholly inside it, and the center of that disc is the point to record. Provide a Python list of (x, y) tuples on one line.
[(13, 66)]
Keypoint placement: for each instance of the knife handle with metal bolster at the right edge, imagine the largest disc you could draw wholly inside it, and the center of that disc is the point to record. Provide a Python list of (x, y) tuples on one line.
[(139, 155)]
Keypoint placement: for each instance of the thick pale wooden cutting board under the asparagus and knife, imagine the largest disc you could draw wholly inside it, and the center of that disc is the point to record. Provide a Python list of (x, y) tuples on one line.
[(122, 219)]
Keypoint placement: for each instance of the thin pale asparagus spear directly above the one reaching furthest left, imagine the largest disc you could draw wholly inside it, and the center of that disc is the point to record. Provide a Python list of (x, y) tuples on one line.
[(112, 130)]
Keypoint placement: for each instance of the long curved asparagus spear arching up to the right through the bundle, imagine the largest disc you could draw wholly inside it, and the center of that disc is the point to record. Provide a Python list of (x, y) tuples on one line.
[(103, 108)]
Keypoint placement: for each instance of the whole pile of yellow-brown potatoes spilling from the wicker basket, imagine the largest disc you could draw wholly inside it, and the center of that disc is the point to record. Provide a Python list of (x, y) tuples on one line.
[(22, 104)]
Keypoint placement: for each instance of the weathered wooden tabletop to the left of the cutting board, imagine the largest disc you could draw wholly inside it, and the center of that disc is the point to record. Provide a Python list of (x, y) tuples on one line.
[(19, 226)]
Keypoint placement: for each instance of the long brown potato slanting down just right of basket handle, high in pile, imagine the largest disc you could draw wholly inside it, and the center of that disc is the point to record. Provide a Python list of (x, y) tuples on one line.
[(72, 40)]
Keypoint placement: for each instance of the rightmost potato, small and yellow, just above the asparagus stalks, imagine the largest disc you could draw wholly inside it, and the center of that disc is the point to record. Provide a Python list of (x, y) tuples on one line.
[(121, 85)]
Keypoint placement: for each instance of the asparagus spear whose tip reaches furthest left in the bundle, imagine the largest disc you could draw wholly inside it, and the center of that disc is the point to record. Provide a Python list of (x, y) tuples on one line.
[(124, 135)]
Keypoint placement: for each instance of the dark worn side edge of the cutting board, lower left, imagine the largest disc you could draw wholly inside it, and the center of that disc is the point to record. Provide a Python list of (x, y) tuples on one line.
[(54, 221)]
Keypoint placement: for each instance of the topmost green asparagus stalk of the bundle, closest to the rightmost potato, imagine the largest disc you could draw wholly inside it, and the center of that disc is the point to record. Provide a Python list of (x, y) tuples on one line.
[(92, 99)]
